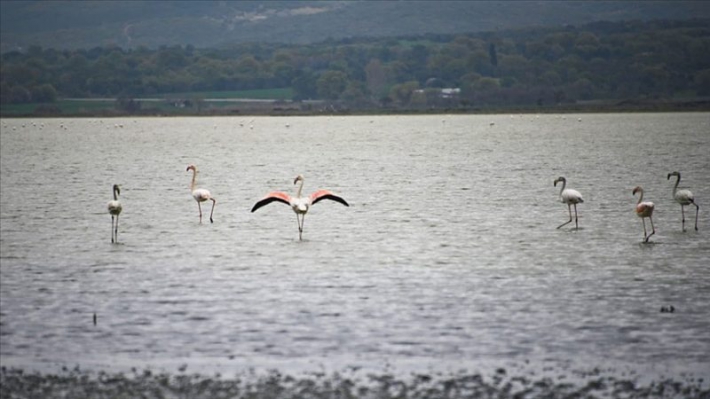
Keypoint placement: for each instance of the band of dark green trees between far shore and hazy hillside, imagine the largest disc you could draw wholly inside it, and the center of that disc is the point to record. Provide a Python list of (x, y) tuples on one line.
[(603, 60)]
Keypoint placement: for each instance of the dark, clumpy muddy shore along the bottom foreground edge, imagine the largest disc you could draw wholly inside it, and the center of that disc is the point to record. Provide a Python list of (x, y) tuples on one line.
[(500, 383)]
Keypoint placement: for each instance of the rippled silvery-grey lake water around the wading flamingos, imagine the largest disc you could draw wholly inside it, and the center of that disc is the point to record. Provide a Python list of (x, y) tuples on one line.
[(448, 256)]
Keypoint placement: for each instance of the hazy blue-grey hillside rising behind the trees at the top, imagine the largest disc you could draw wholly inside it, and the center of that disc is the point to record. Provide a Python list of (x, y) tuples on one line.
[(130, 24)]
